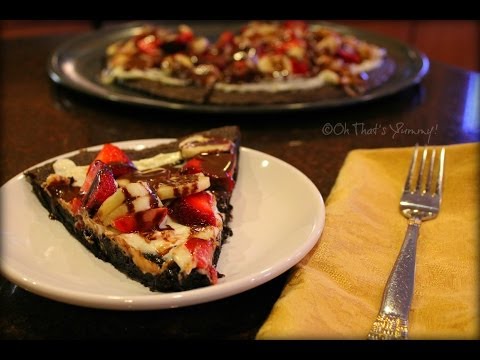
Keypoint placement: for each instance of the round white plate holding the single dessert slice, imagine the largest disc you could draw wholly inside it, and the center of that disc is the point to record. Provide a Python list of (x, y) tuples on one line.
[(278, 212)]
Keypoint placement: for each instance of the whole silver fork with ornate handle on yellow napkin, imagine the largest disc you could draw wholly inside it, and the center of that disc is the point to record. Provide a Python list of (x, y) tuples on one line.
[(420, 203)]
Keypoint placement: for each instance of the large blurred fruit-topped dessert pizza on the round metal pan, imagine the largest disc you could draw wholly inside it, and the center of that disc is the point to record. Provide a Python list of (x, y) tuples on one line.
[(265, 62)]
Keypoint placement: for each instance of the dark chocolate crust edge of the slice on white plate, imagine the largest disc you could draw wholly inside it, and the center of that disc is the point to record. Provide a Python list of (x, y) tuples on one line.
[(107, 250)]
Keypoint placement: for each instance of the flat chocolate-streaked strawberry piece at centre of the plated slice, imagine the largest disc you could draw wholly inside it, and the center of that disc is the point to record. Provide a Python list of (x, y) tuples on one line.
[(143, 221)]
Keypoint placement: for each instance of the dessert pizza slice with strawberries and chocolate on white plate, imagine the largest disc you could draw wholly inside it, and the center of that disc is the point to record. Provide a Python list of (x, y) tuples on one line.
[(159, 215)]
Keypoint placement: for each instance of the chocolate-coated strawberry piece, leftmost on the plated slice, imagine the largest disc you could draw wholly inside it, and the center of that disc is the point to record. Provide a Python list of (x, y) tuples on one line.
[(103, 186)]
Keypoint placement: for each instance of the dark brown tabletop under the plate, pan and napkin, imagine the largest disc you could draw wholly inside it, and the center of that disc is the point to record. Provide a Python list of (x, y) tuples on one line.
[(41, 120)]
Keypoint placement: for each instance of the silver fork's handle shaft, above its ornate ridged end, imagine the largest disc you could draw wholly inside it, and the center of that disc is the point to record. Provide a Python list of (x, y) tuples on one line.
[(398, 293)]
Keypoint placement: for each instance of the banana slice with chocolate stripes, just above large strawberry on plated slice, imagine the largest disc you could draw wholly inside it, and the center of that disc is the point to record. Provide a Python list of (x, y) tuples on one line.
[(182, 185)]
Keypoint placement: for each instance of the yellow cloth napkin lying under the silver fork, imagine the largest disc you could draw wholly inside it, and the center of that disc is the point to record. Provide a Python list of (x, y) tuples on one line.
[(336, 291)]
